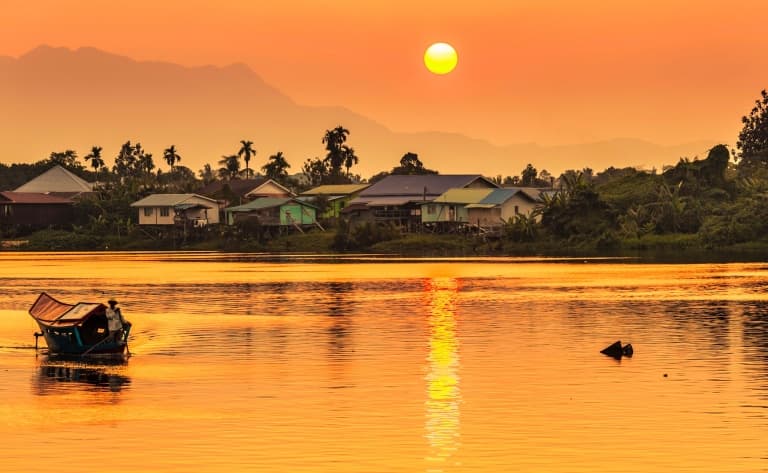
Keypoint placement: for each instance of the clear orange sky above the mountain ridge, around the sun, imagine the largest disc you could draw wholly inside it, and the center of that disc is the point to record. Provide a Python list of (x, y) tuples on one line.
[(545, 71)]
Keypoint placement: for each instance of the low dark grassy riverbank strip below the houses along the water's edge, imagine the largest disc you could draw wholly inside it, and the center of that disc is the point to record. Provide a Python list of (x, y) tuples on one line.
[(671, 247)]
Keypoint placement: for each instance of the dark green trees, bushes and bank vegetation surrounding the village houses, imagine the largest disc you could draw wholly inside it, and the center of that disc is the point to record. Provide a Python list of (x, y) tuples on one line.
[(713, 202)]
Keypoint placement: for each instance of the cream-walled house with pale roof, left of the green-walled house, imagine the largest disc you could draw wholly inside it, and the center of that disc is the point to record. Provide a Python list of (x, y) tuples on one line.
[(177, 209)]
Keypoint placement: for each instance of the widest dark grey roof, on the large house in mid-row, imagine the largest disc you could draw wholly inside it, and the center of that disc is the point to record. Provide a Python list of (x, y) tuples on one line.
[(431, 185)]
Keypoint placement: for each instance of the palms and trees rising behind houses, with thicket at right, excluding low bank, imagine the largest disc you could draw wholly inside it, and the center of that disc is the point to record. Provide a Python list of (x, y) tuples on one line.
[(716, 201)]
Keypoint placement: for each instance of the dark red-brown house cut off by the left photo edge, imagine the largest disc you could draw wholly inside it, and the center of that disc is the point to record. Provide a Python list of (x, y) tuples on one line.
[(34, 208)]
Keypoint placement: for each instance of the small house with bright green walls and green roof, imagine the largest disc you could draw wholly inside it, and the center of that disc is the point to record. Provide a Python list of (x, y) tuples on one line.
[(274, 211)]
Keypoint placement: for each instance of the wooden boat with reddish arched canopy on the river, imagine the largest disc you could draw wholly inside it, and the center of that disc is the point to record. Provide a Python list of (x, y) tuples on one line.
[(77, 329)]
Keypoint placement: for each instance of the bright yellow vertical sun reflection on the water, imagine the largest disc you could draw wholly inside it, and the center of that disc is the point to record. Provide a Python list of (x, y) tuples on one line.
[(443, 392)]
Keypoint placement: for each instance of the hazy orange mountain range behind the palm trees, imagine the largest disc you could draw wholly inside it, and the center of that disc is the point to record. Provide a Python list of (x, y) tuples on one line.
[(53, 99)]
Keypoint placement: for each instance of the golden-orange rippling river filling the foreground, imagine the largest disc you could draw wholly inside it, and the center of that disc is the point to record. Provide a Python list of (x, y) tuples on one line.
[(249, 362)]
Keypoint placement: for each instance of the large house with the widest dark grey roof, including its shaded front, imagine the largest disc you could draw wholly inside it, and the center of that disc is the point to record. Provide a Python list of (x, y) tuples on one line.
[(399, 198)]
